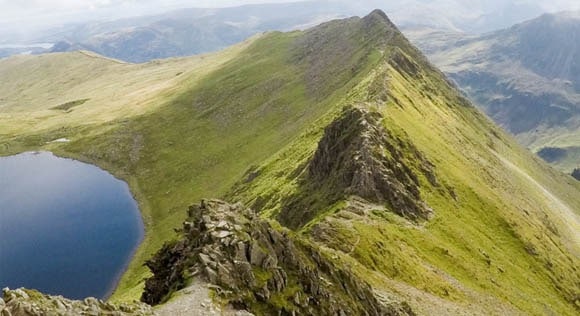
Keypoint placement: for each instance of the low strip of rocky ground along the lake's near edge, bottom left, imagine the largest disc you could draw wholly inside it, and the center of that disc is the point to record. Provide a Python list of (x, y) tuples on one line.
[(23, 302)]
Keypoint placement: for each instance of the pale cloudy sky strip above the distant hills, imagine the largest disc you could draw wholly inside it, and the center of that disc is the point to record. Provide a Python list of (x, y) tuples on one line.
[(24, 17)]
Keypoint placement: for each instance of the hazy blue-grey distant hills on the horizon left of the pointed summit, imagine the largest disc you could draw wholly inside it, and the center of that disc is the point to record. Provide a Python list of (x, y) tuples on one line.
[(191, 31)]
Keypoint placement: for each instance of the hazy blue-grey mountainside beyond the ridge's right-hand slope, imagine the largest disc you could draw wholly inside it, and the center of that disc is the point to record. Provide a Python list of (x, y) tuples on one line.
[(527, 78)]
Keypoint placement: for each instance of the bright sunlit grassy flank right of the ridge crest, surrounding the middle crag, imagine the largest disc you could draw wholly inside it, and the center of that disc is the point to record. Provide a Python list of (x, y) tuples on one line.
[(477, 250)]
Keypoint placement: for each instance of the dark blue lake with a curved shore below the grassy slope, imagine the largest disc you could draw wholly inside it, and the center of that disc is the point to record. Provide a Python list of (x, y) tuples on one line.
[(66, 227)]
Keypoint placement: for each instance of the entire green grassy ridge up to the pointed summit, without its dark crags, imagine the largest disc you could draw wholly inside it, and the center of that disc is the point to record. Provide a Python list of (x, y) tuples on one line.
[(246, 127)]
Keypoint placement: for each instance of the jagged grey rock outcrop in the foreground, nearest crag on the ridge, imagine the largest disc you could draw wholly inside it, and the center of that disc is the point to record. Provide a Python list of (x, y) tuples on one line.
[(259, 268)]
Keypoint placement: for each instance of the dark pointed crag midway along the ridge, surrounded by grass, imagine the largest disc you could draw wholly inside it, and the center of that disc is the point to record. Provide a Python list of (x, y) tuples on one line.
[(358, 156)]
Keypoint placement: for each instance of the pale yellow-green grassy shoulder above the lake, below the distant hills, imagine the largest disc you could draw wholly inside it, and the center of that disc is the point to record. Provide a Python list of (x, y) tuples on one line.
[(33, 88)]
